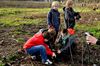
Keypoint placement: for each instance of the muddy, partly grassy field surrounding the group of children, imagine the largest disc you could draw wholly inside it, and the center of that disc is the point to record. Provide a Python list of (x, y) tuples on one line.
[(19, 24)]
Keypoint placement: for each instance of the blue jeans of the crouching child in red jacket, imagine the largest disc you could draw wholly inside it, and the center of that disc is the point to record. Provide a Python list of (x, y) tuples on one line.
[(38, 49)]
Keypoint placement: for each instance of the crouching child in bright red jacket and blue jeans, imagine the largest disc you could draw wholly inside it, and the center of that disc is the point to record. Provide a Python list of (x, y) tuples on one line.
[(37, 44)]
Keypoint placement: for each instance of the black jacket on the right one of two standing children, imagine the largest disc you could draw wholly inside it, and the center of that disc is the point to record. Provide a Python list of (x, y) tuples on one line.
[(69, 17)]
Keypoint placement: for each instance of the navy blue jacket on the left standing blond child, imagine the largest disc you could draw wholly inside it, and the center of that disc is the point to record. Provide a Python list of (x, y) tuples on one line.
[(53, 19)]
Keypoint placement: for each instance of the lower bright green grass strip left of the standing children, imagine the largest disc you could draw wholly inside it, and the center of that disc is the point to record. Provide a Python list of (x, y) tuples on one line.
[(19, 21)]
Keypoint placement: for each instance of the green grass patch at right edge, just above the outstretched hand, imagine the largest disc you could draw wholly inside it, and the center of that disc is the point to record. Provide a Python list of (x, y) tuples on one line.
[(92, 28)]
